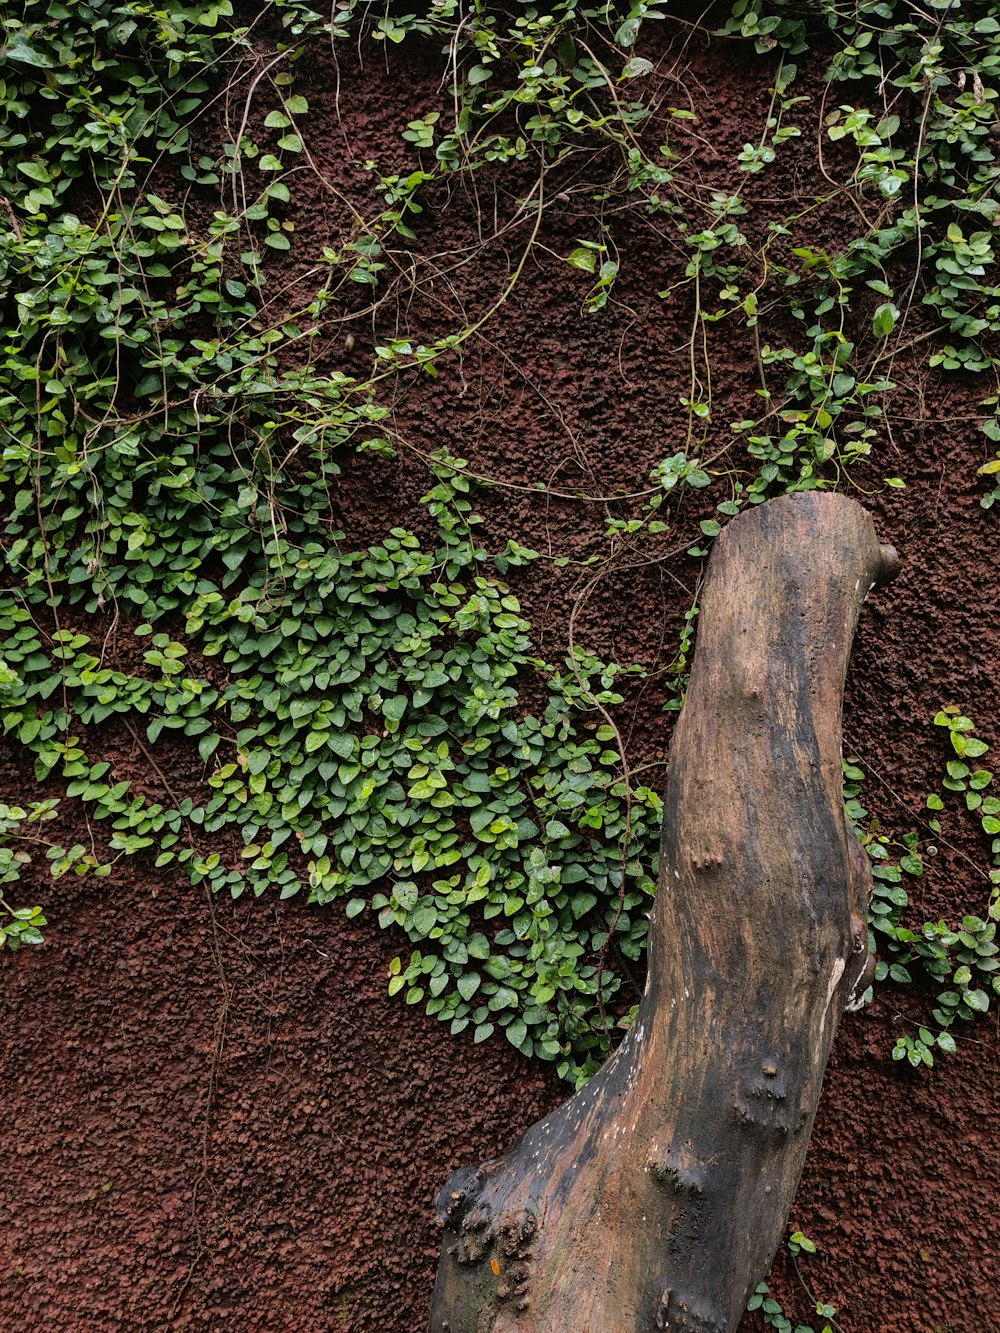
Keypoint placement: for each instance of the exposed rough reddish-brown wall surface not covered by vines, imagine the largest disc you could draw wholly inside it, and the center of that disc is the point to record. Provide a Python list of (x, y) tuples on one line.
[(218, 1119)]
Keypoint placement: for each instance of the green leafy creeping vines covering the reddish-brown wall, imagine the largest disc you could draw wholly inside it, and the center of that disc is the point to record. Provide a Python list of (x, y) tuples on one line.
[(173, 447)]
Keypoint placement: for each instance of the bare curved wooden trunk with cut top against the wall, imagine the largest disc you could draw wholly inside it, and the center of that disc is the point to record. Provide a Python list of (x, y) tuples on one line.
[(657, 1196)]
